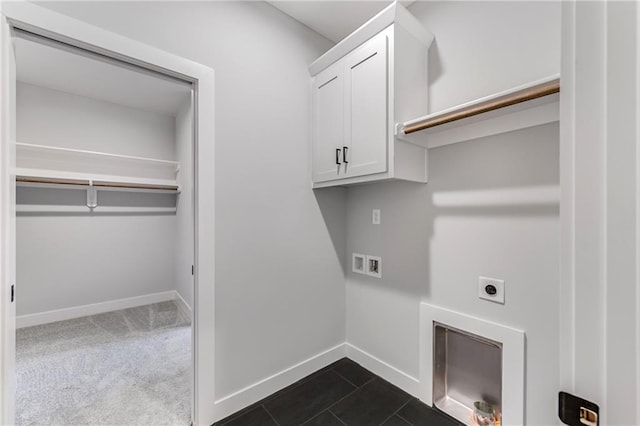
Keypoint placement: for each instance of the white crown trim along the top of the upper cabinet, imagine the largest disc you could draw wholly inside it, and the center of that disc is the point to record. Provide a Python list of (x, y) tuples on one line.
[(395, 13)]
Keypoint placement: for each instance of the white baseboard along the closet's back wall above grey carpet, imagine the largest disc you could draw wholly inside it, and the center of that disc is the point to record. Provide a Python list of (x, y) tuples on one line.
[(92, 309)]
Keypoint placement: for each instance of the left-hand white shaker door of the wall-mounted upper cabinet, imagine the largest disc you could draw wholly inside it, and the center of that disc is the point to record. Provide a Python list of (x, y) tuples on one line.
[(328, 123)]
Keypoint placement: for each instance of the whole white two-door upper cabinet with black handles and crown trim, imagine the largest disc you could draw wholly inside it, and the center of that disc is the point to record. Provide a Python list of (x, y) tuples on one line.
[(373, 79)]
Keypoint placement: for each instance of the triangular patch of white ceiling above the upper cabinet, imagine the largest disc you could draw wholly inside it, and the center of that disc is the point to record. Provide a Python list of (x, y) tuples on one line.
[(333, 19)]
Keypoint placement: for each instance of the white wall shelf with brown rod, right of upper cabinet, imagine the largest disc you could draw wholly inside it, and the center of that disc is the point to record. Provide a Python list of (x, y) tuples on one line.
[(521, 107)]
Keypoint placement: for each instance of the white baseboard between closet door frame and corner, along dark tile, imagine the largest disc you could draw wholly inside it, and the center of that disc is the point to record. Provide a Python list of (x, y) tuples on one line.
[(243, 398)]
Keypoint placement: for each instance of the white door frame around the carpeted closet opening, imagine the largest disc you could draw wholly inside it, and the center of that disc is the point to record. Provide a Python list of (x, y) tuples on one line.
[(41, 21)]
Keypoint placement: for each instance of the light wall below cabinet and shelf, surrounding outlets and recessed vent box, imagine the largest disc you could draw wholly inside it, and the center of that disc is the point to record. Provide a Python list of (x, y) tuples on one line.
[(436, 239)]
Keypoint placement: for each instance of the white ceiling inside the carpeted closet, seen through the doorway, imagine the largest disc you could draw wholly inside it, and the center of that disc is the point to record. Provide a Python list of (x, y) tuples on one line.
[(65, 70)]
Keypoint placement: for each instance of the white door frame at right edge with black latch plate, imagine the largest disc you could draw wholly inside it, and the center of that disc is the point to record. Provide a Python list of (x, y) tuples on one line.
[(600, 207)]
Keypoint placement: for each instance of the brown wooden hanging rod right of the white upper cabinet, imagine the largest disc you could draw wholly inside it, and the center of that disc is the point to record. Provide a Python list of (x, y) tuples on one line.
[(513, 98)]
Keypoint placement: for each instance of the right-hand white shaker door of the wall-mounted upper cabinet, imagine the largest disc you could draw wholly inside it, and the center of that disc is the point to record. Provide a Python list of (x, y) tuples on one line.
[(366, 90)]
